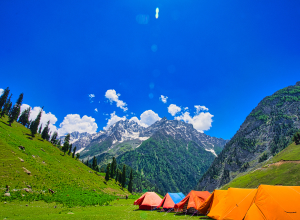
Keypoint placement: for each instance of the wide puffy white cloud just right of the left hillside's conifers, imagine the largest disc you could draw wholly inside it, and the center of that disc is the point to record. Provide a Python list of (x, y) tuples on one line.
[(73, 122)]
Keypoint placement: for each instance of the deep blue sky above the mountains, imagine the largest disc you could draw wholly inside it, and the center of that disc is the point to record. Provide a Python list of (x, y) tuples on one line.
[(222, 55)]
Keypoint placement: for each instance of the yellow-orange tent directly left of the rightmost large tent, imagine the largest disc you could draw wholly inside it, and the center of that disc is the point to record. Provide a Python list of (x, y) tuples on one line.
[(234, 205)]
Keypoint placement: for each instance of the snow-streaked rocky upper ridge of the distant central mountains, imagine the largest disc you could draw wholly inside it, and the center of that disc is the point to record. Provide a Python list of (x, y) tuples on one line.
[(131, 135)]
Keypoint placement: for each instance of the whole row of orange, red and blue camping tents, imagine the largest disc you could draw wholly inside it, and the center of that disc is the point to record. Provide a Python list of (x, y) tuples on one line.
[(265, 203)]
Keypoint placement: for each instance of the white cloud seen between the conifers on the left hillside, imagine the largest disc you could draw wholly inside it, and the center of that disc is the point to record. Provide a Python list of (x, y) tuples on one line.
[(45, 116)]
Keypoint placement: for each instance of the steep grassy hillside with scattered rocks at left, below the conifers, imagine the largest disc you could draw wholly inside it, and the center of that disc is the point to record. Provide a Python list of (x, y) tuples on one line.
[(73, 182)]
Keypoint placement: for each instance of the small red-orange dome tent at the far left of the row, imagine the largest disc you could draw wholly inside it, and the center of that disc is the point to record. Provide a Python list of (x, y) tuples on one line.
[(148, 201)]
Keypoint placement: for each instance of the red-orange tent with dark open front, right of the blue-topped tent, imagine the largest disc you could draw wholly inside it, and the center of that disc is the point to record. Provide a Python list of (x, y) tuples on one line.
[(192, 201)]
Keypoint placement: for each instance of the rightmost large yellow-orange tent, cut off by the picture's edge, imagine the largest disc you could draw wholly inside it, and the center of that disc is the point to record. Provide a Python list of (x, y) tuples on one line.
[(275, 202)]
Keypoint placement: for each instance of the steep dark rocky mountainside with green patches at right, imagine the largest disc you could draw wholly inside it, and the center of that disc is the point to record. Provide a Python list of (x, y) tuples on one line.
[(266, 131)]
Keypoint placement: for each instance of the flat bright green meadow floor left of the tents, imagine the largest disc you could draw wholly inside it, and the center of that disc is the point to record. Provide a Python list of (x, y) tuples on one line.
[(117, 209)]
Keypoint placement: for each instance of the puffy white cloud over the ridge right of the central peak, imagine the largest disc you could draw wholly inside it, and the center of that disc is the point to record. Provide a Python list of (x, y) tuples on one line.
[(201, 122)]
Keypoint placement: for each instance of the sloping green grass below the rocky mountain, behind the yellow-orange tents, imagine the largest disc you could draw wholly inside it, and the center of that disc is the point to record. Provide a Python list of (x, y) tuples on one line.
[(283, 169)]
